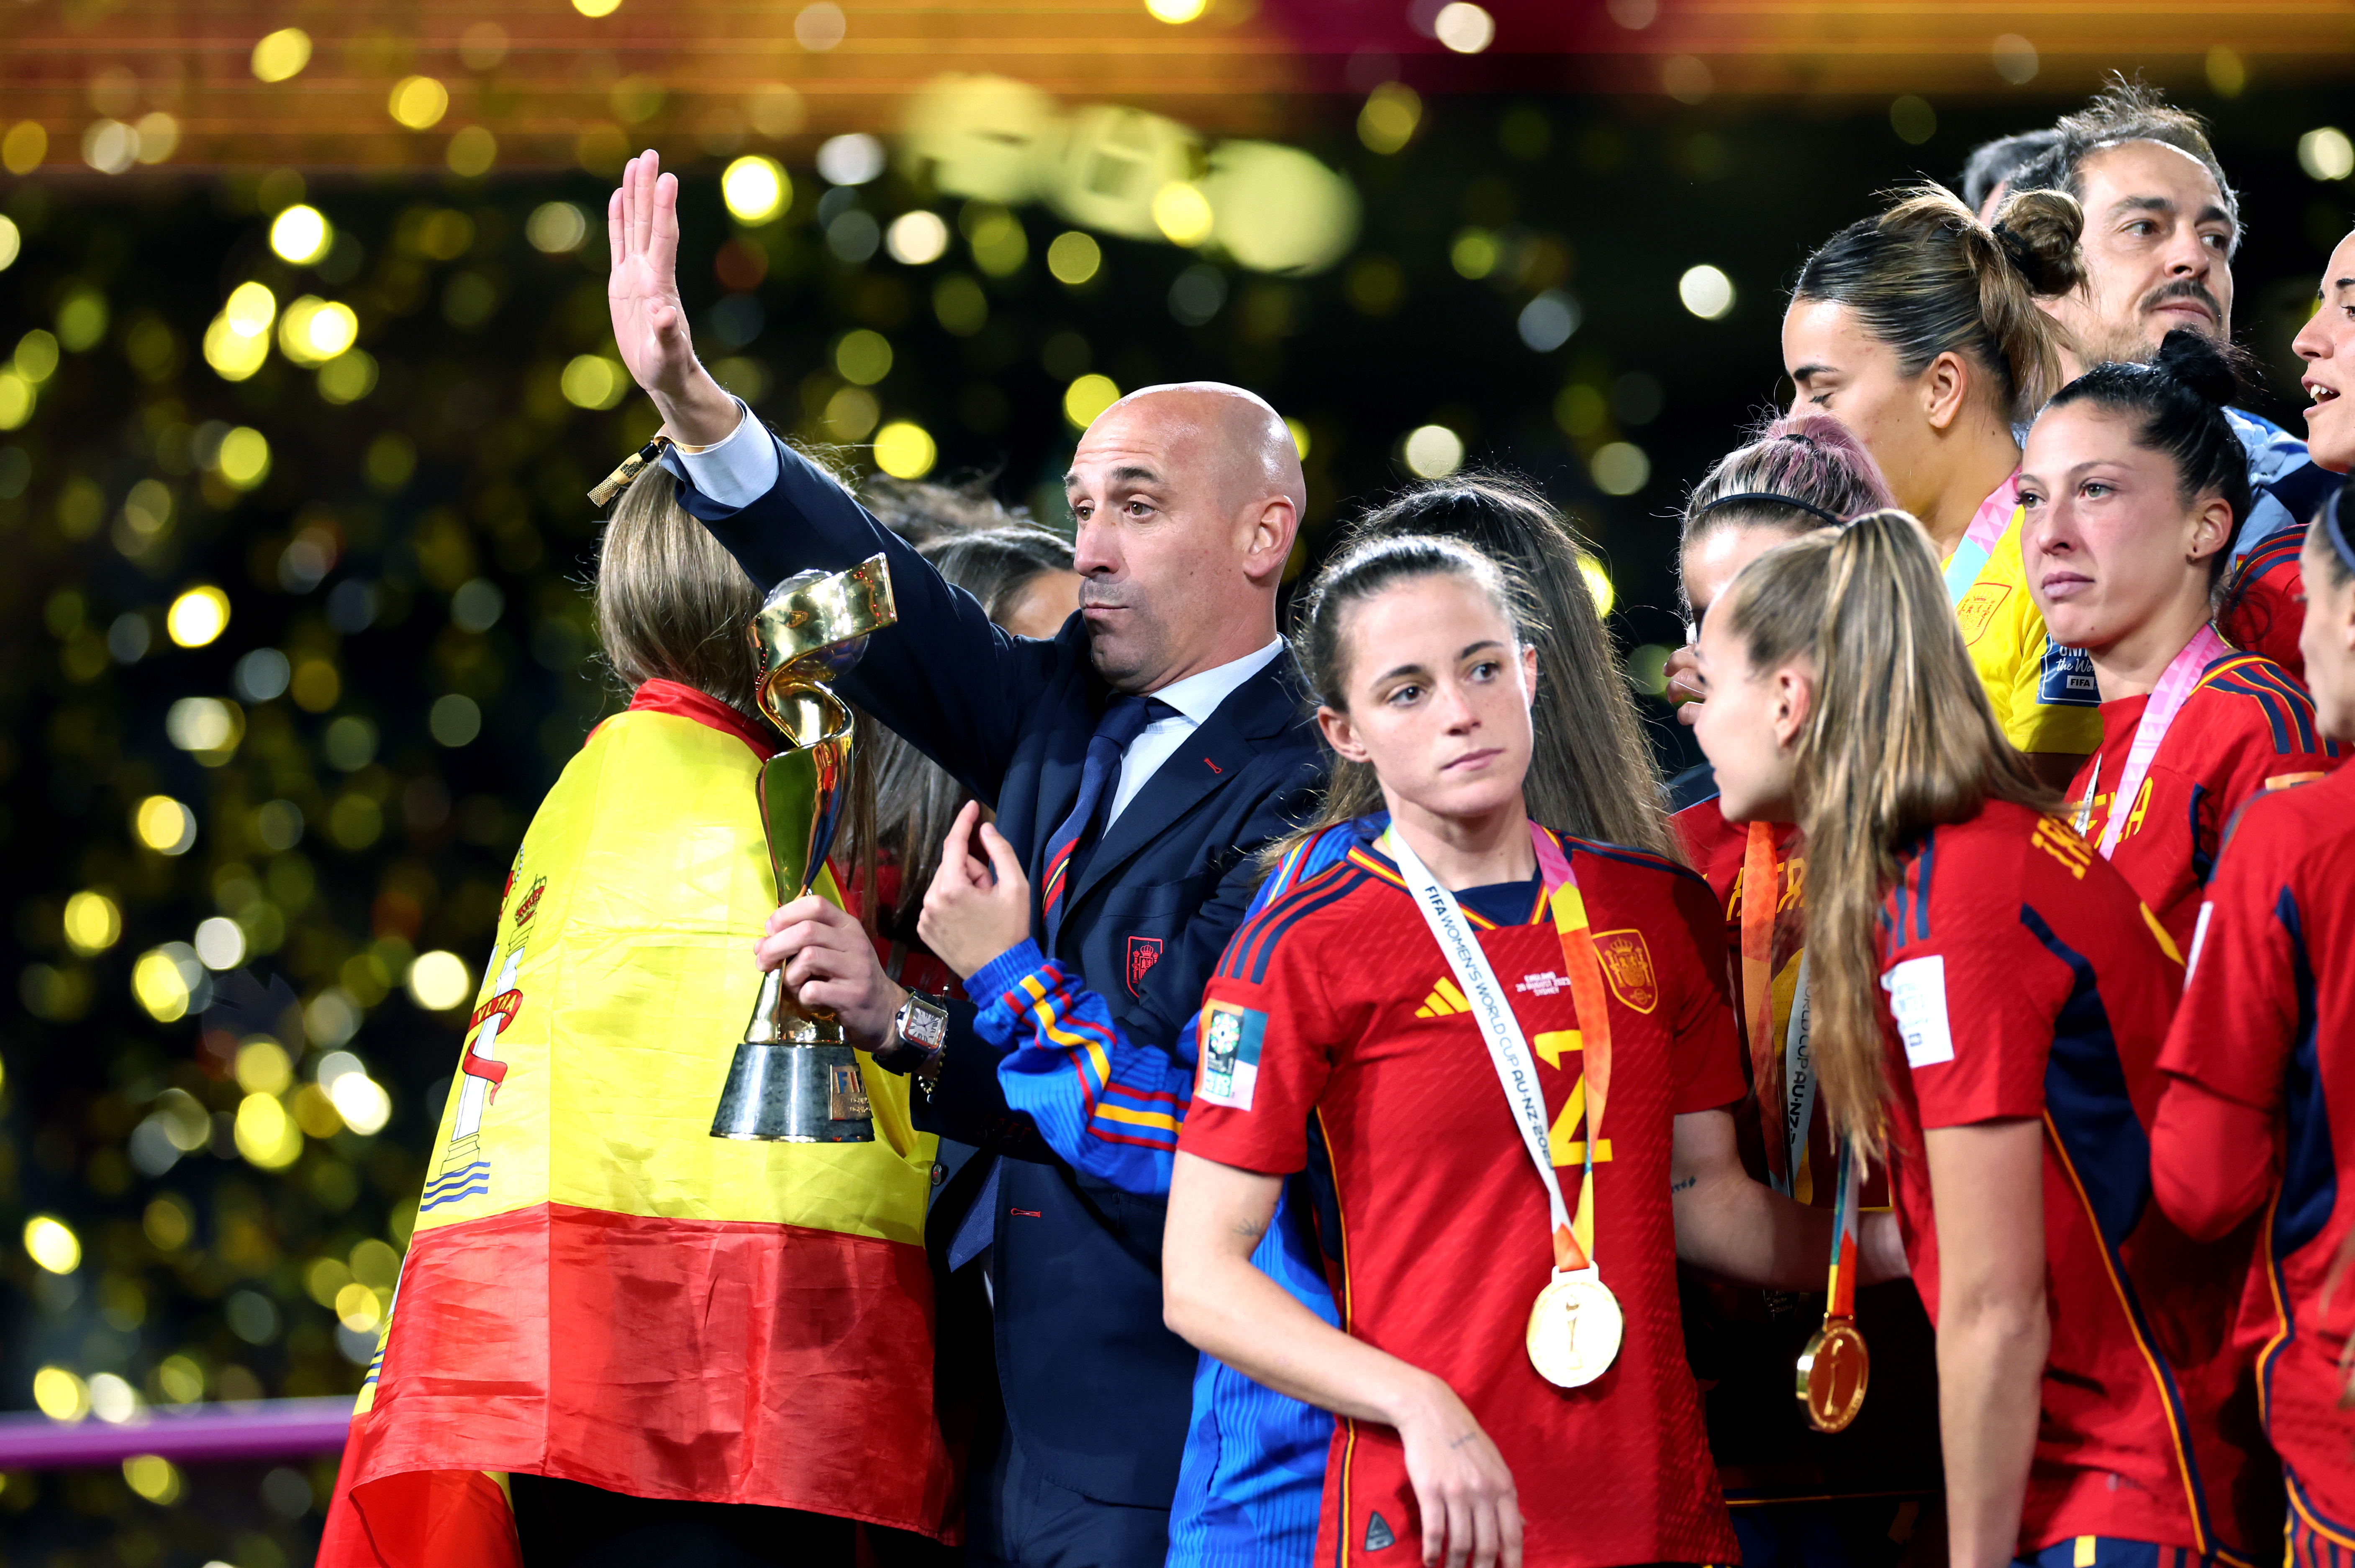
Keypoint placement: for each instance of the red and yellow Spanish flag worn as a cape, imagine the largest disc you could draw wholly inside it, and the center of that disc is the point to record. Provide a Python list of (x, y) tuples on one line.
[(597, 1287)]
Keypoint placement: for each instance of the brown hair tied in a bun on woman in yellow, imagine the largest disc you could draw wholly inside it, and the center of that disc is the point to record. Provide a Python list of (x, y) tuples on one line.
[(1930, 279)]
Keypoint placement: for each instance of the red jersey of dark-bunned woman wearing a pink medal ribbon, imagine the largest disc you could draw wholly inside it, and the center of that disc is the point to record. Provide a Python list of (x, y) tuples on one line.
[(2245, 729)]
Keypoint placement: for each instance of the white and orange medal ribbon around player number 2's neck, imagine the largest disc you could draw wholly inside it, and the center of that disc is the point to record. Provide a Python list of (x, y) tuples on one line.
[(1508, 1049)]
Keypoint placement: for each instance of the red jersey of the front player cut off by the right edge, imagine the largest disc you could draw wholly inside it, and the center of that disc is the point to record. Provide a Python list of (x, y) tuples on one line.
[(2269, 1023)]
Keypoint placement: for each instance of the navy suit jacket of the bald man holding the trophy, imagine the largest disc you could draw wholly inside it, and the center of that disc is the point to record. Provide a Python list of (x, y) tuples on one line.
[(1096, 1386)]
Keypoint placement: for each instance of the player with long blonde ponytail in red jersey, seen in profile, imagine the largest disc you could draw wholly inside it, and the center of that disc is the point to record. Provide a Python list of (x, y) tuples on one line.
[(1986, 1011)]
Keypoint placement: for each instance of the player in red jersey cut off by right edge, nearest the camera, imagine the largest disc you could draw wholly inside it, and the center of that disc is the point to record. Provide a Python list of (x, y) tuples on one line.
[(2260, 1103)]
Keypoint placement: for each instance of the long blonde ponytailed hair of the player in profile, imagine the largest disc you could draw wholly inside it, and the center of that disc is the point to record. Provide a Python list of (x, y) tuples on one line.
[(1897, 740)]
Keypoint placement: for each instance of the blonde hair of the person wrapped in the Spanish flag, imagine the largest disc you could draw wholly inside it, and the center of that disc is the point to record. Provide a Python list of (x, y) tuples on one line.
[(670, 602)]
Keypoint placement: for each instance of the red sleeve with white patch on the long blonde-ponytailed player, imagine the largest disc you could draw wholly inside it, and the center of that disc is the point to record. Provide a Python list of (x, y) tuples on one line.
[(1970, 995)]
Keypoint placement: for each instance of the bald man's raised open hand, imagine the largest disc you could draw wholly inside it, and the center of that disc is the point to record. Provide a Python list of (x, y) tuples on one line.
[(649, 324)]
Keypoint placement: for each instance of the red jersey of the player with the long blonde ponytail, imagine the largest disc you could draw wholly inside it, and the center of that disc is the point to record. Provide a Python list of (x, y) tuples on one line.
[(2024, 978)]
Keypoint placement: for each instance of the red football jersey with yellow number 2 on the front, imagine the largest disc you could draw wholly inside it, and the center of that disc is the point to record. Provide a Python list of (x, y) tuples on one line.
[(1336, 1002)]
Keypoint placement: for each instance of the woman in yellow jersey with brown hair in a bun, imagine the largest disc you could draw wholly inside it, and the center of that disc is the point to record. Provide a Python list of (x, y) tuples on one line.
[(1923, 333)]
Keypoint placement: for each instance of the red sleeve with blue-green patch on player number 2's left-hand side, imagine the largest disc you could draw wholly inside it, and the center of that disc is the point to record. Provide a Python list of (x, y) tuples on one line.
[(1266, 1047)]
